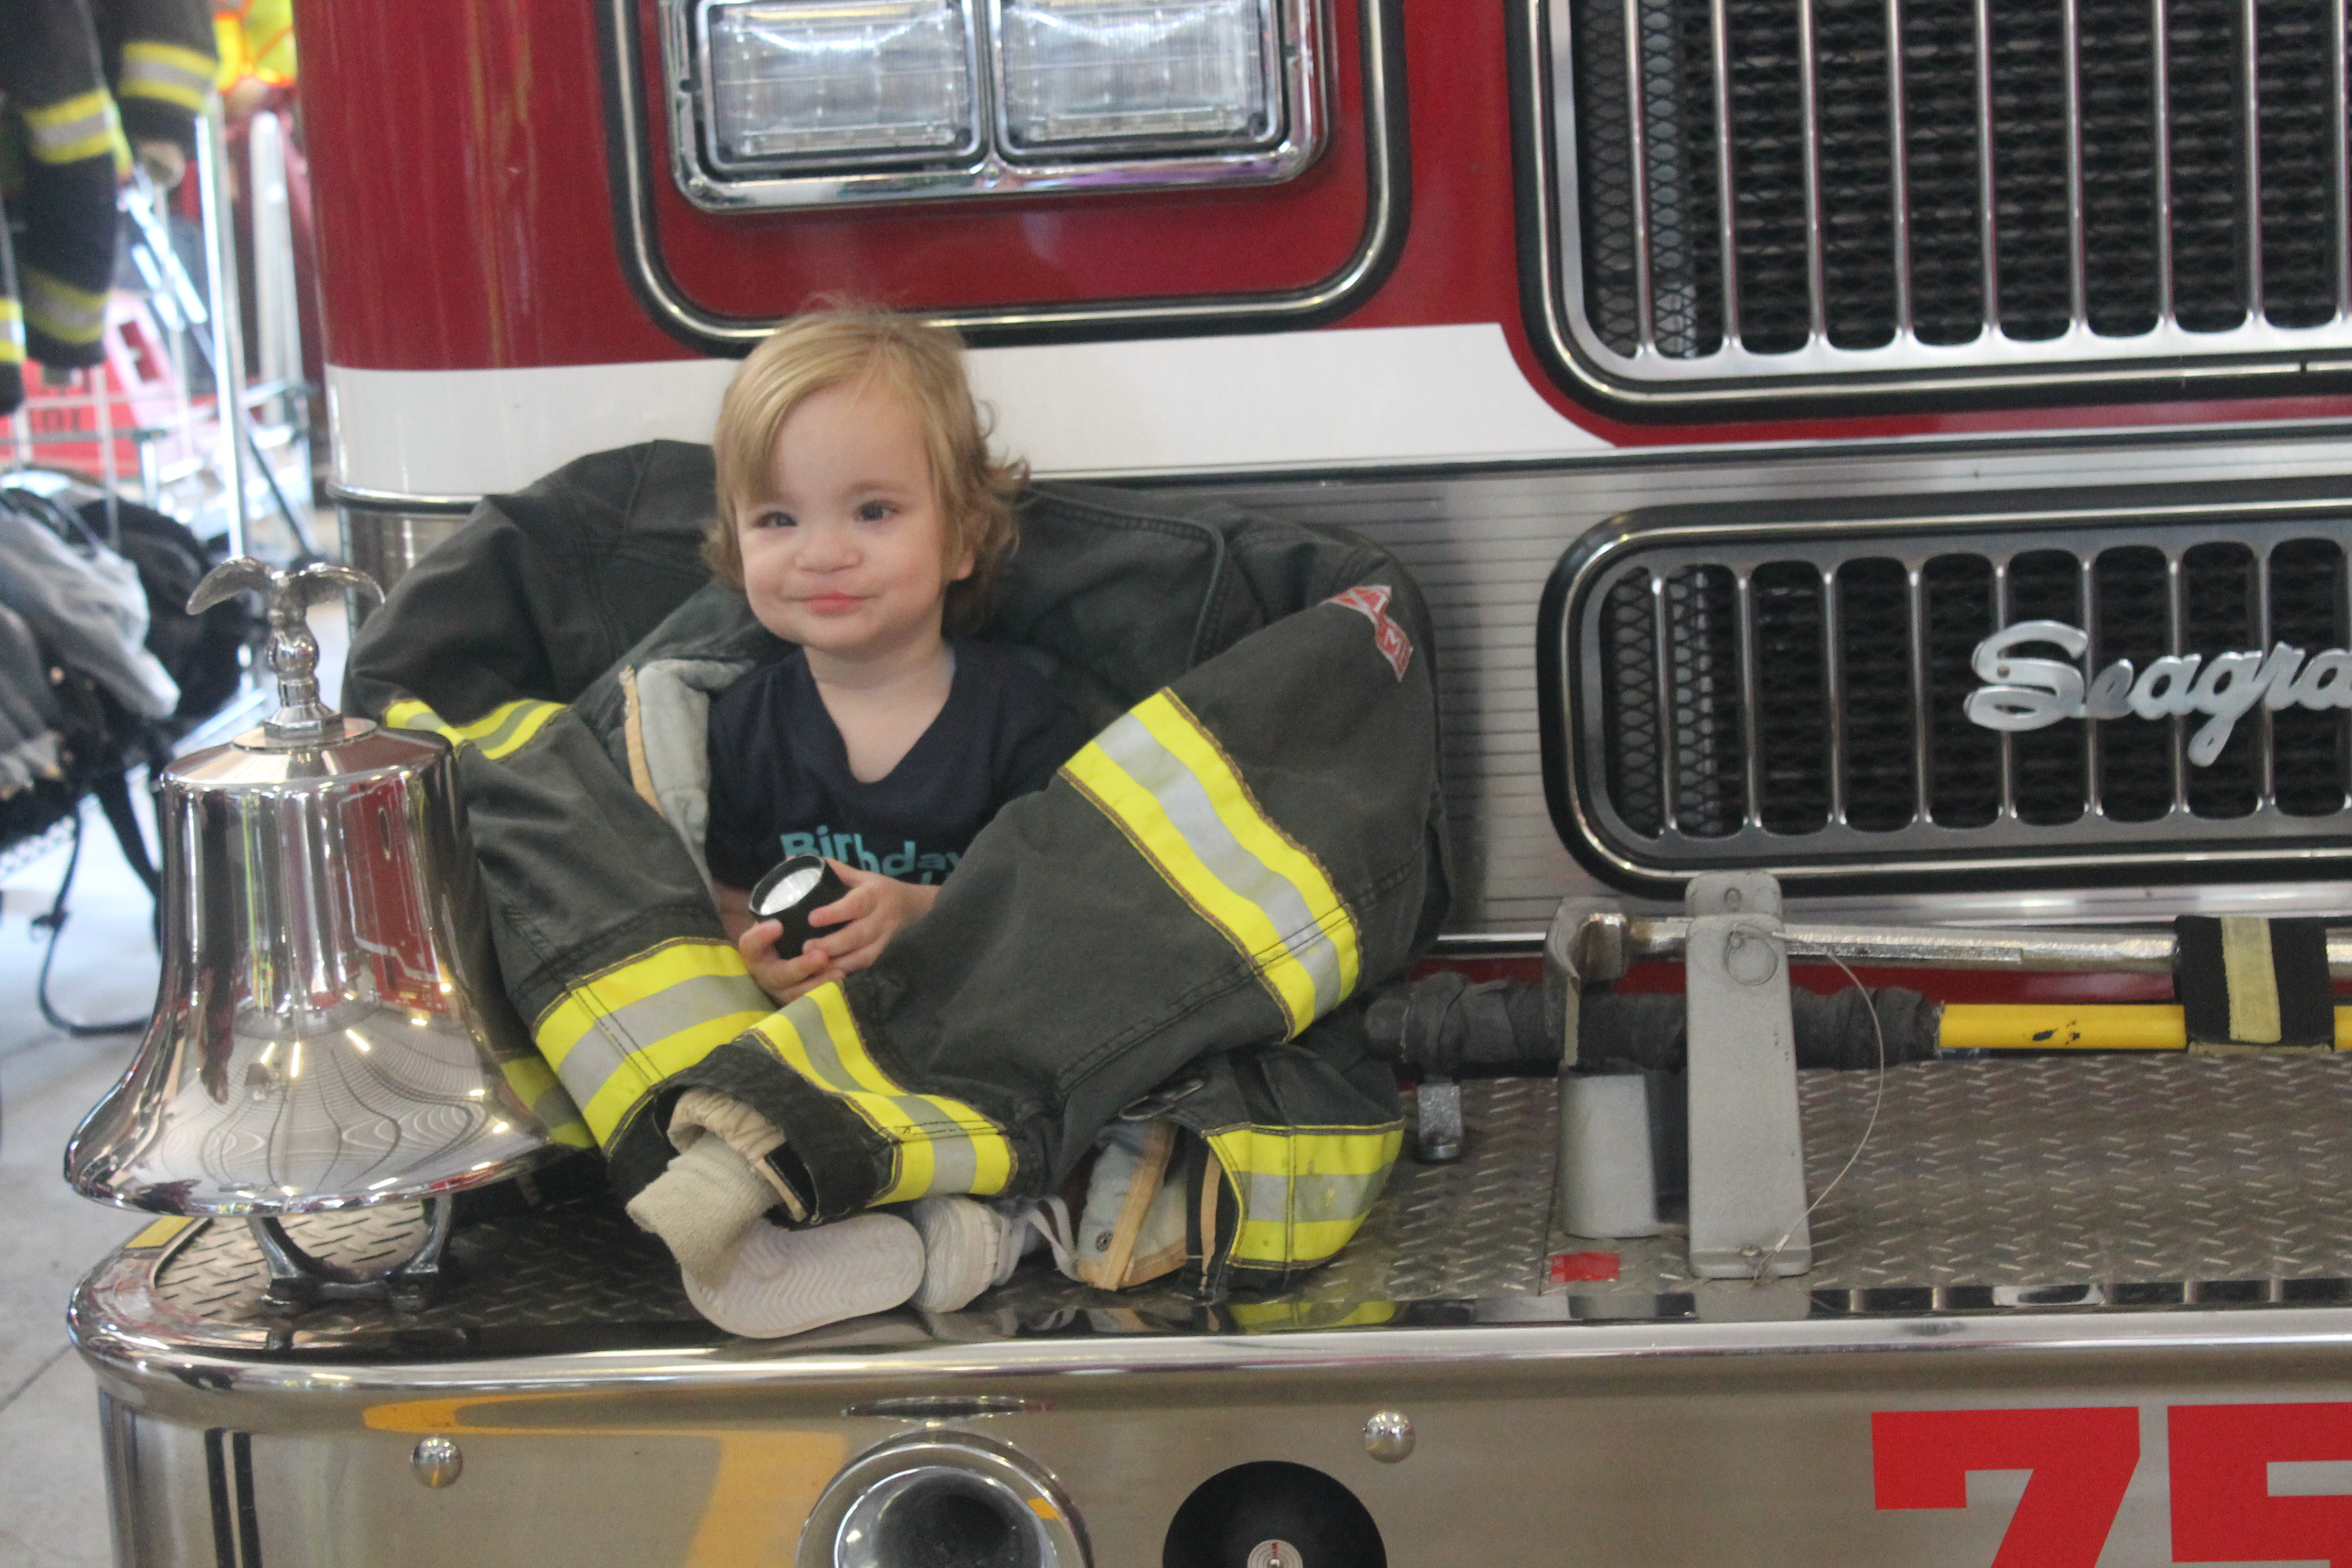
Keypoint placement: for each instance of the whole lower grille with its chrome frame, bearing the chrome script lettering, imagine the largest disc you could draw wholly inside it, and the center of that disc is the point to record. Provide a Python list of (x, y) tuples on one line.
[(1798, 702)]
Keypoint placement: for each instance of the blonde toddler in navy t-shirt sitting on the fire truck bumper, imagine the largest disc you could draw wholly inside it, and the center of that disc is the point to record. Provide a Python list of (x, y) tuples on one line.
[(862, 518)]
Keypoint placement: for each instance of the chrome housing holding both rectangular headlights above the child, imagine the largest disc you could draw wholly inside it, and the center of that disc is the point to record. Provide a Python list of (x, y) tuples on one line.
[(806, 102)]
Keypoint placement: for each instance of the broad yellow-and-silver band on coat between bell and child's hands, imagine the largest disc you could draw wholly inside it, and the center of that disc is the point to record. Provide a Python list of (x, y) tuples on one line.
[(622, 1033)]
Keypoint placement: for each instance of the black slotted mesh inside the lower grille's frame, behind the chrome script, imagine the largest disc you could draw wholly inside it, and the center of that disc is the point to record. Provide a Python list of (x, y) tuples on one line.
[(1833, 669)]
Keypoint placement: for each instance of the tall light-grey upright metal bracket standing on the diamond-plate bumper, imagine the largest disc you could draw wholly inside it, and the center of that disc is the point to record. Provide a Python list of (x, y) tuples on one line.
[(1749, 1209)]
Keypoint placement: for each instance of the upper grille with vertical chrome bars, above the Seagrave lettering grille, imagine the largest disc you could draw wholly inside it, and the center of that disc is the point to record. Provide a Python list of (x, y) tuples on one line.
[(1949, 192)]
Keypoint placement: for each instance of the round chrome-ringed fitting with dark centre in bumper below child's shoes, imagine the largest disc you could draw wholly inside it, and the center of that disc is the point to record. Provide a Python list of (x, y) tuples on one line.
[(949, 1501)]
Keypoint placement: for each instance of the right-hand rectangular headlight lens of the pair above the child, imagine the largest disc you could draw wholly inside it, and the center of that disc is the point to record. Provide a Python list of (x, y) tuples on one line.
[(1132, 72)]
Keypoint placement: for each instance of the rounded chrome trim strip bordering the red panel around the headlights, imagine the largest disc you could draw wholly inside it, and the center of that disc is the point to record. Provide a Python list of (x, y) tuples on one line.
[(726, 333)]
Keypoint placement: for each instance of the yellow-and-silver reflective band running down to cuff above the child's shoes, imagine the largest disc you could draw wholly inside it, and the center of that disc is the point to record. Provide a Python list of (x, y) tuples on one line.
[(937, 1144)]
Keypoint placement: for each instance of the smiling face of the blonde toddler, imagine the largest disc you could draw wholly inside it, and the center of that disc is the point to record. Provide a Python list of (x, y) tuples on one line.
[(848, 551)]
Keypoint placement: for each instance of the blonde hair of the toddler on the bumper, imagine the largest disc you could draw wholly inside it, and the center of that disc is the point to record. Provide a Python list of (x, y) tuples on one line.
[(914, 359)]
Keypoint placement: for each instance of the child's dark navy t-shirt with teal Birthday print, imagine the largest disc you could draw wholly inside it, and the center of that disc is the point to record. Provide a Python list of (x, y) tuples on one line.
[(782, 784)]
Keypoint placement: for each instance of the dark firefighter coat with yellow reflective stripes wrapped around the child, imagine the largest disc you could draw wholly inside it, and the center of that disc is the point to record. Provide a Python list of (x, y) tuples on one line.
[(1180, 927)]
